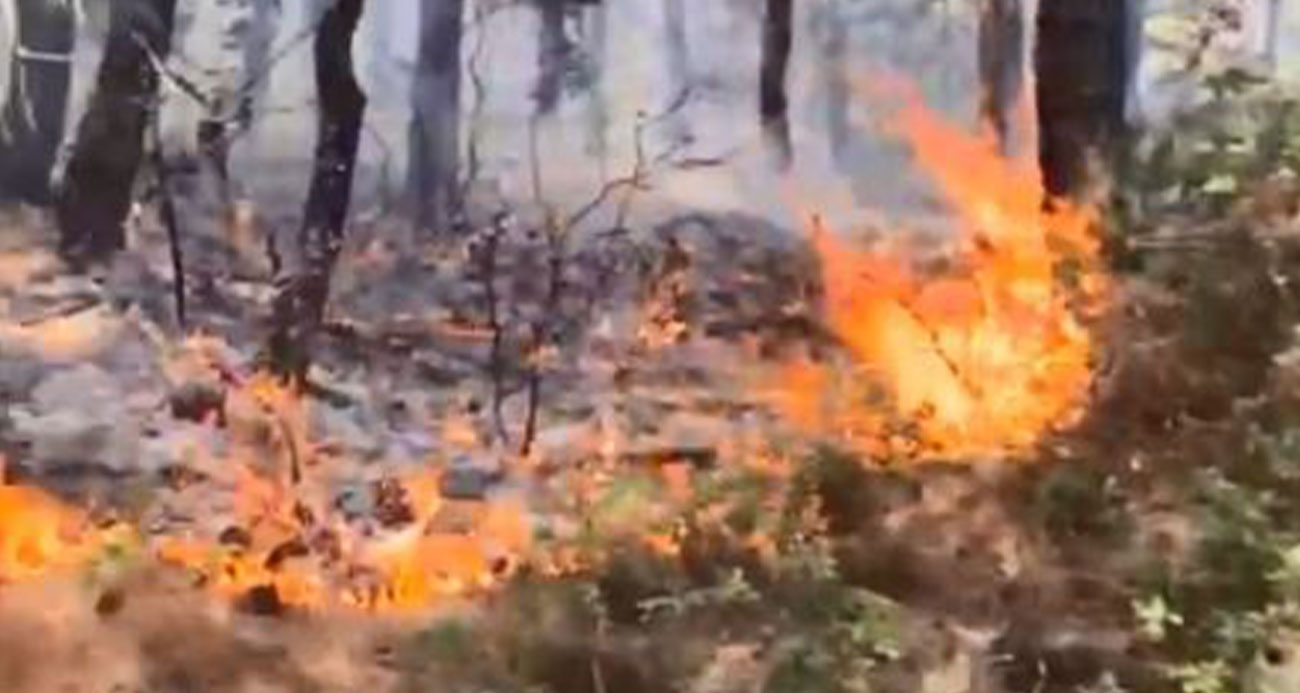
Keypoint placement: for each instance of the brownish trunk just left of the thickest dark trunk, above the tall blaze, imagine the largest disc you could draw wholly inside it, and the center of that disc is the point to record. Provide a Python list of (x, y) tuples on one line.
[(1002, 66)]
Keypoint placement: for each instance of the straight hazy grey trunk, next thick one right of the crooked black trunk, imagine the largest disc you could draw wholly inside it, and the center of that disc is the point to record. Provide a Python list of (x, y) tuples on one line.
[(435, 157)]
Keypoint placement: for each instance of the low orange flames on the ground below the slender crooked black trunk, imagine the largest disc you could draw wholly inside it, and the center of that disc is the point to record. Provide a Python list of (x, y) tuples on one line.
[(294, 543)]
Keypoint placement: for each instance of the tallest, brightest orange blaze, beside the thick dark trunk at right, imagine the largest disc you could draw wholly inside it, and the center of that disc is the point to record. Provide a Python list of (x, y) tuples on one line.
[(980, 357)]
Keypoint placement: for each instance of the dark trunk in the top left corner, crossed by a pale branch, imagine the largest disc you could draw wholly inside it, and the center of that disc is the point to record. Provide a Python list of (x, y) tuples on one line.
[(32, 125)]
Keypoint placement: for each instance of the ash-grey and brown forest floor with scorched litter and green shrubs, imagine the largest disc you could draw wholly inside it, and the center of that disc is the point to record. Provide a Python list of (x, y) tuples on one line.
[(708, 547)]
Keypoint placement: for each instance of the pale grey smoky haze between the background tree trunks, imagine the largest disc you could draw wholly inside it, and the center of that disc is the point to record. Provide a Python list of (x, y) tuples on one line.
[(626, 60)]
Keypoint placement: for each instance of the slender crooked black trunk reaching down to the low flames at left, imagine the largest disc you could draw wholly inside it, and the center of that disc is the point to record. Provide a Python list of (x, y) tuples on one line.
[(300, 307)]
